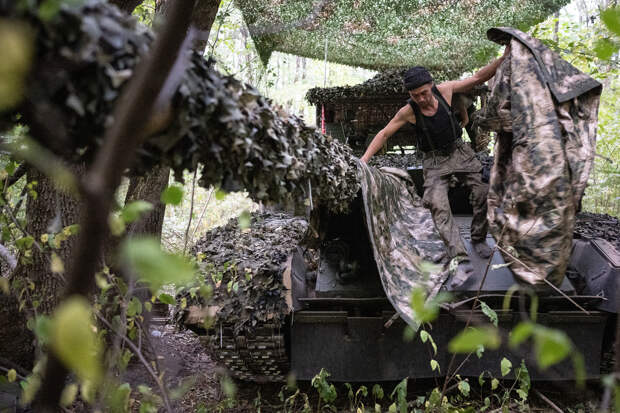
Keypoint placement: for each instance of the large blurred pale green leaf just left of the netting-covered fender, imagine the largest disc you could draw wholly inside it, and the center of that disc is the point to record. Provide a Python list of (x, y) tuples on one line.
[(155, 266)]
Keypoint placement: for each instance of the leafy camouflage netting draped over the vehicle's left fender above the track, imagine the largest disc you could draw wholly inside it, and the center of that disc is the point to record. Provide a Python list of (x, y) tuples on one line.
[(245, 267)]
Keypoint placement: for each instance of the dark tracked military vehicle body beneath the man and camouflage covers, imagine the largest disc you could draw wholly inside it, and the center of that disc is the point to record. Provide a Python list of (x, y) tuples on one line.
[(340, 318)]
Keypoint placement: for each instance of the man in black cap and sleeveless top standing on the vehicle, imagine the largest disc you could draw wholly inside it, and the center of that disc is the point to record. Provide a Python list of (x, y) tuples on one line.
[(446, 157)]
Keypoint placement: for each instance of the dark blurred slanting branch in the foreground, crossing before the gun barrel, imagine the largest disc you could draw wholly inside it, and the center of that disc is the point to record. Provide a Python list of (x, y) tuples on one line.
[(131, 115)]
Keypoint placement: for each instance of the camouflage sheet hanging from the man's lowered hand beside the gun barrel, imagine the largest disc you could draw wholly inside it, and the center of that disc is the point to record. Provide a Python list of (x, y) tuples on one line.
[(402, 235)]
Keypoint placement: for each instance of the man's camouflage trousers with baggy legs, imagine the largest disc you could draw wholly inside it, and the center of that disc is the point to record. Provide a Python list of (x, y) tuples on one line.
[(463, 166)]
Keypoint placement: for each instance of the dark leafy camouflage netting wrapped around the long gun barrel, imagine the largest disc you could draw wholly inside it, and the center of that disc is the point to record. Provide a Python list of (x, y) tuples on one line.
[(84, 57)]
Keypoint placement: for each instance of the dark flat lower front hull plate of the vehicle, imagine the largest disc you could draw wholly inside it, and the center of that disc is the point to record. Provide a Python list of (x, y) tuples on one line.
[(362, 349)]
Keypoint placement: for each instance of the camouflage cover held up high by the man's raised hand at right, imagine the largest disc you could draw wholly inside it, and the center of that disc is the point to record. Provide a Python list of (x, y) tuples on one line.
[(545, 113)]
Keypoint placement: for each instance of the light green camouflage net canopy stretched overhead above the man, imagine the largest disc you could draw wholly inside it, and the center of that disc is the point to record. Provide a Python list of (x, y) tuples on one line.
[(382, 34)]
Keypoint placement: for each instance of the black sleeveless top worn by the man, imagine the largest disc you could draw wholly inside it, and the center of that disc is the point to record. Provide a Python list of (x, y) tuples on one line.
[(438, 132)]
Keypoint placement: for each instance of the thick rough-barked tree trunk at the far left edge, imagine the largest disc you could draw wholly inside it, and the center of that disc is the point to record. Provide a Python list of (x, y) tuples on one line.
[(46, 213)]
